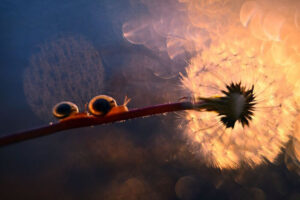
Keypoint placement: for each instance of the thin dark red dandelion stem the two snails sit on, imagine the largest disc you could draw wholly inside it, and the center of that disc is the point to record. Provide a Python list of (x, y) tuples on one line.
[(89, 120)]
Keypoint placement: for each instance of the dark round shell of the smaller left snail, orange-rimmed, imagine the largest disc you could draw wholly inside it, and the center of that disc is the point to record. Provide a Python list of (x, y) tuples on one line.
[(64, 109)]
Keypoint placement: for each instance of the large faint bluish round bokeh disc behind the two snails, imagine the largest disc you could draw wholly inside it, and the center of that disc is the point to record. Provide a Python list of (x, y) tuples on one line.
[(64, 69)]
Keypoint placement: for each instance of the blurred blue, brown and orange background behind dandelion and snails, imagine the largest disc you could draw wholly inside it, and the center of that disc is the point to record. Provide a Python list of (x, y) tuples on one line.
[(73, 50)]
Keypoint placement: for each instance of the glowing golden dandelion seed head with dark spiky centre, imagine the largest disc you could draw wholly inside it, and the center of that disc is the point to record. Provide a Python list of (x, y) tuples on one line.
[(253, 109)]
